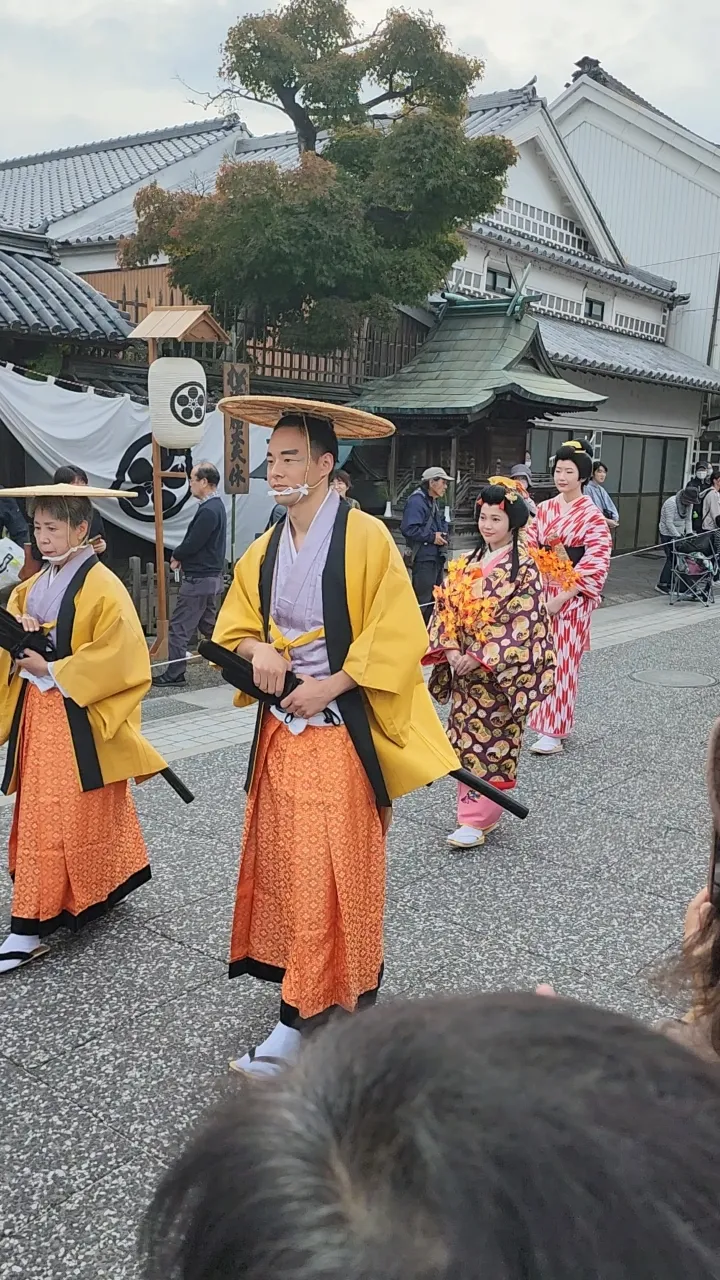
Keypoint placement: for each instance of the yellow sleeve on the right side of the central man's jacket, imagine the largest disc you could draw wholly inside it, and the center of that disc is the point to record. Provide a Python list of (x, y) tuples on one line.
[(384, 660)]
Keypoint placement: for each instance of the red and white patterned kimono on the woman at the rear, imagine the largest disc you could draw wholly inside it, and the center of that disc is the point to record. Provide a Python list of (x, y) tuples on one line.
[(578, 524)]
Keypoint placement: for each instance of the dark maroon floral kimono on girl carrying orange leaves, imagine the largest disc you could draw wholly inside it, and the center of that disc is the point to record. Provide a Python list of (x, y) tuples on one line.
[(503, 623)]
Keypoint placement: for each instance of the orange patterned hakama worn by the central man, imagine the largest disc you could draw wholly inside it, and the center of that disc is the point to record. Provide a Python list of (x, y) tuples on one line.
[(311, 895)]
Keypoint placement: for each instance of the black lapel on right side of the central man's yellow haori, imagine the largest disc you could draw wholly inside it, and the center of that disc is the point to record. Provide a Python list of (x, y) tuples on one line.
[(339, 638)]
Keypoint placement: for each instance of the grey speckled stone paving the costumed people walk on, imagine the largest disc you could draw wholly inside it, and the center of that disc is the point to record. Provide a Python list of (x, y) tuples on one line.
[(112, 1046)]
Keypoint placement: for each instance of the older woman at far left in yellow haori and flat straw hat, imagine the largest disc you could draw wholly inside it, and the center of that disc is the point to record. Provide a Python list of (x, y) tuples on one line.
[(72, 728)]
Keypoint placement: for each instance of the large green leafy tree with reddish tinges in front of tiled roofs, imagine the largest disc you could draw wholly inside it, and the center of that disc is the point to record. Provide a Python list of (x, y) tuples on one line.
[(386, 179)]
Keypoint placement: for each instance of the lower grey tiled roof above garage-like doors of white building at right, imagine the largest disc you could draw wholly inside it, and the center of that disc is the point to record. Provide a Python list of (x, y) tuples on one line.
[(577, 346)]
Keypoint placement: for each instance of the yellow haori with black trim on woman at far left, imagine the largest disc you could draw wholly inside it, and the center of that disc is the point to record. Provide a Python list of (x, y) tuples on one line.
[(104, 670)]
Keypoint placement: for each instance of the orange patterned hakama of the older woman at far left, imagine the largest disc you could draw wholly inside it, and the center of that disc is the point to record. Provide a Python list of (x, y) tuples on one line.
[(74, 854)]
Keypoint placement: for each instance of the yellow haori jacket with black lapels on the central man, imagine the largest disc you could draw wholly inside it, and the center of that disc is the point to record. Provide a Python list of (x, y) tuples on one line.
[(375, 633)]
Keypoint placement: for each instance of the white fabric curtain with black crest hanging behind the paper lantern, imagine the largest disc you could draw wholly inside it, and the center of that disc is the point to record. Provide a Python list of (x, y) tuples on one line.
[(110, 438)]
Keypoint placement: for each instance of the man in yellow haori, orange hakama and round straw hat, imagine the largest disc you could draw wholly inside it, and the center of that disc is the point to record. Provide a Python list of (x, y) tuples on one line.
[(325, 593)]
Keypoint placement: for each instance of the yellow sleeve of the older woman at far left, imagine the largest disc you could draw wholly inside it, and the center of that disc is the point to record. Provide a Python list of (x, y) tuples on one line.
[(111, 673)]
